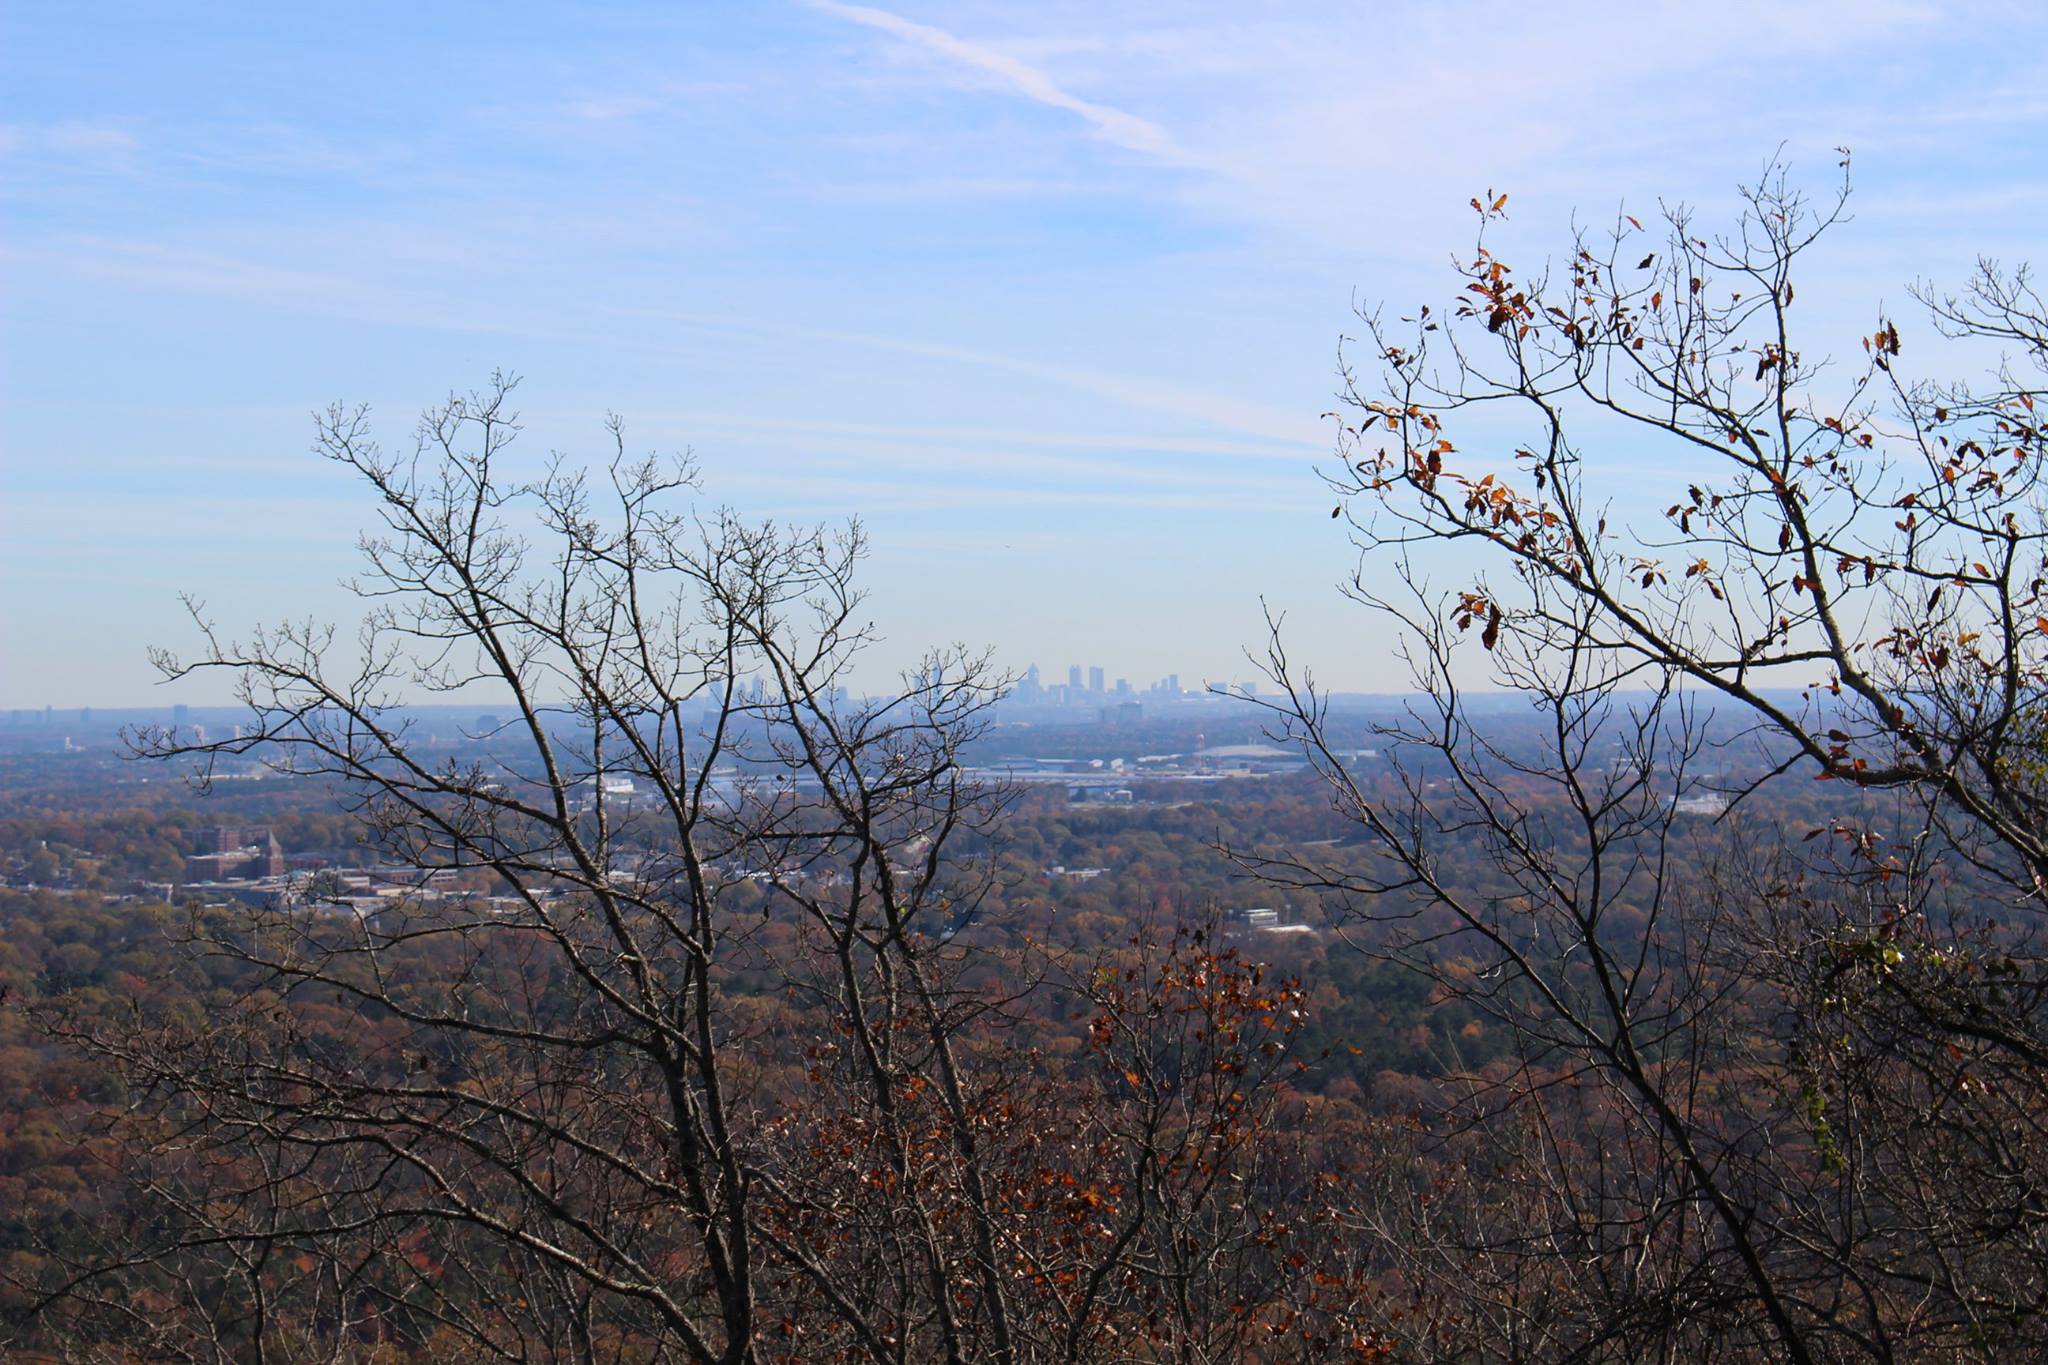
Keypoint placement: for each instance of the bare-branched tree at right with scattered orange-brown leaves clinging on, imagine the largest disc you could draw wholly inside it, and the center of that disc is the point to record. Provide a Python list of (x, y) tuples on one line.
[(1768, 1102)]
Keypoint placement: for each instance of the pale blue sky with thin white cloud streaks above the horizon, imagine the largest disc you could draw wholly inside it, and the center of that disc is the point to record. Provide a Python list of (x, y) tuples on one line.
[(1050, 296)]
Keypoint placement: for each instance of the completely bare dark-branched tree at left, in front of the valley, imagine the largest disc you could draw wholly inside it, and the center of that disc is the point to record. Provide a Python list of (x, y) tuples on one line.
[(556, 1110)]
